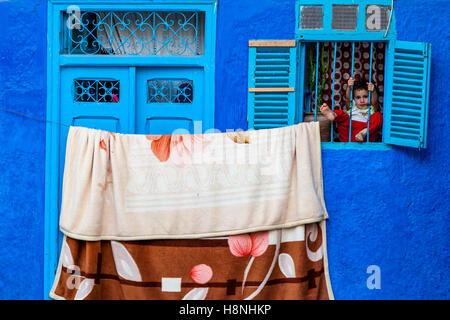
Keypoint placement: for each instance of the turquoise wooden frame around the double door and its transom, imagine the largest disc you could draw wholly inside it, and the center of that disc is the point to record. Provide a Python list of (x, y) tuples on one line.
[(55, 61)]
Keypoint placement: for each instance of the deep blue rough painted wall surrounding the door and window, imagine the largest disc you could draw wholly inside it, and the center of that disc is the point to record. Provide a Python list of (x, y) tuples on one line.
[(387, 208)]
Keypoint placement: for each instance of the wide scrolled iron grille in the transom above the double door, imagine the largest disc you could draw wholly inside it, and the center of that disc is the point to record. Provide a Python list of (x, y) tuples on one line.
[(134, 33)]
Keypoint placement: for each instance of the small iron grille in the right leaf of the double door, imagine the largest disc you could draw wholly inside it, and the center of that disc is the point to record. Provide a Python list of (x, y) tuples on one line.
[(170, 91)]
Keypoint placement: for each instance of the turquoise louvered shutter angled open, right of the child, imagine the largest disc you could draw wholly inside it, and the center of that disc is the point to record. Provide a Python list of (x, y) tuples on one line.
[(406, 108)]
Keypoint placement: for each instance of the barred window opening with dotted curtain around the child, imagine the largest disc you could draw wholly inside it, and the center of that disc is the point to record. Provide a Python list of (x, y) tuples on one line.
[(333, 63)]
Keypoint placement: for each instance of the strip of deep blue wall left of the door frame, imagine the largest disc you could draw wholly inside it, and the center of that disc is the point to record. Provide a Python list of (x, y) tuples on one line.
[(22, 148)]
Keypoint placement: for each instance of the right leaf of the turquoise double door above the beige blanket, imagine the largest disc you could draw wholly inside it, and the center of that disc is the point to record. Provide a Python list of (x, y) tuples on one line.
[(168, 99)]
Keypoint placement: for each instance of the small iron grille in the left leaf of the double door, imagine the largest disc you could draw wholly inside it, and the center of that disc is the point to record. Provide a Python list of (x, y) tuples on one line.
[(90, 90)]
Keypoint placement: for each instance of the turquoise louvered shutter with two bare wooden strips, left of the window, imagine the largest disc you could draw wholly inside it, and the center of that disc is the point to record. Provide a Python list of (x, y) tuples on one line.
[(271, 83)]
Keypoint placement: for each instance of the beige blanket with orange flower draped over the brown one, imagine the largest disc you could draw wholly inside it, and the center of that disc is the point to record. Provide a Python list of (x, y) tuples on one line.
[(135, 187)]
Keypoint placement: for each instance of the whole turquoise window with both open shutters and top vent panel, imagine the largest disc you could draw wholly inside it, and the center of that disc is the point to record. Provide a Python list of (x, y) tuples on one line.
[(336, 40)]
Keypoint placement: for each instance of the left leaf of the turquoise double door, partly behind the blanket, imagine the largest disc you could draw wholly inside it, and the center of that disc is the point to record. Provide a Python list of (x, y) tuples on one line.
[(93, 97)]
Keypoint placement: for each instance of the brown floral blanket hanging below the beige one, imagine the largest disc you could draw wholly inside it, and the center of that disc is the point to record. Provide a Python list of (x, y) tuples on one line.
[(278, 264)]
